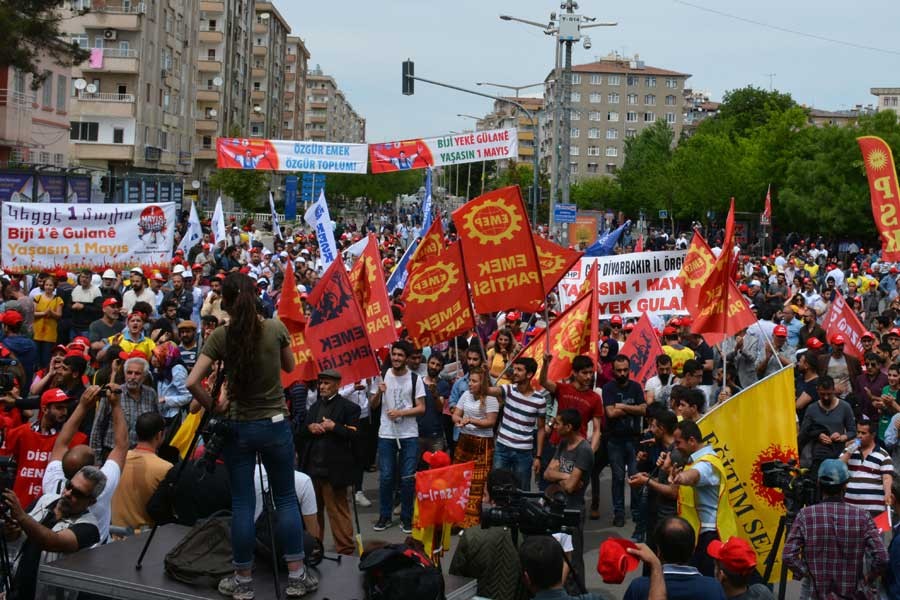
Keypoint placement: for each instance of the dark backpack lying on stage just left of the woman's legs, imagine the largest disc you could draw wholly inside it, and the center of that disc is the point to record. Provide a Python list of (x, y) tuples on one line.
[(203, 556)]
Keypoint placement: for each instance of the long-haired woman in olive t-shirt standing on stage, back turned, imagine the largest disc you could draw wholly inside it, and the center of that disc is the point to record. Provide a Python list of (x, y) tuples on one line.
[(254, 351)]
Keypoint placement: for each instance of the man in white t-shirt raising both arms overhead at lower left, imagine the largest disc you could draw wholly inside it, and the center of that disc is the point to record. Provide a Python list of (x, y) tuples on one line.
[(65, 462)]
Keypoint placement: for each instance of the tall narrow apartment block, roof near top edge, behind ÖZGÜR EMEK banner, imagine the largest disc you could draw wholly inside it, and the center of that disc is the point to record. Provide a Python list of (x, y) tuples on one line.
[(267, 72)]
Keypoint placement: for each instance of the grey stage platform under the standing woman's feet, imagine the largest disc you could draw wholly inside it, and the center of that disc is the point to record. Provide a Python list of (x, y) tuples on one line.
[(109, 571)]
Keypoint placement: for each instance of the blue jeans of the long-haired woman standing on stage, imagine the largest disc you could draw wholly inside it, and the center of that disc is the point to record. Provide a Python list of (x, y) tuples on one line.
[(275, 445)]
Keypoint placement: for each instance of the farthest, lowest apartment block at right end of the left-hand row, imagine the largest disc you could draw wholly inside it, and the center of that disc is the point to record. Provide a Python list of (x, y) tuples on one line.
[(329, 116)]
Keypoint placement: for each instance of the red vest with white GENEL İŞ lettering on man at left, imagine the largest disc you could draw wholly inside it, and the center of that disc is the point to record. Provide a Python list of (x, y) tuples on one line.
[(31, 449)]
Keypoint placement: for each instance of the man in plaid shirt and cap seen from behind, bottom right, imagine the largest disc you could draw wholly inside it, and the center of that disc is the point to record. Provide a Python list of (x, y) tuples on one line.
[(833, 546)]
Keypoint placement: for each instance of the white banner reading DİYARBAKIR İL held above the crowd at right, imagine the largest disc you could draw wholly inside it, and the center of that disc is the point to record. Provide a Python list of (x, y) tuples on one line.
[(631, 284)]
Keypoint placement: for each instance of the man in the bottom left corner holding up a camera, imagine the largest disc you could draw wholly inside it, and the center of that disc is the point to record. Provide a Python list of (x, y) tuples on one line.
[(58, 524)]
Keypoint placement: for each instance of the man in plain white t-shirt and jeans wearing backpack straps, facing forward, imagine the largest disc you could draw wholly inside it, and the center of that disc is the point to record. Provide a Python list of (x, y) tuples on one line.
[(402, 393)]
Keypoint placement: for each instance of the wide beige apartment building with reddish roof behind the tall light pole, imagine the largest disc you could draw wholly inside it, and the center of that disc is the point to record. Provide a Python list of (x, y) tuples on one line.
[(614, 99)]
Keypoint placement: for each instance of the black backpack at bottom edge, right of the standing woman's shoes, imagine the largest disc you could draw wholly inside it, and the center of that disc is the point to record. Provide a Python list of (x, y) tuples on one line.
[(397, 571)]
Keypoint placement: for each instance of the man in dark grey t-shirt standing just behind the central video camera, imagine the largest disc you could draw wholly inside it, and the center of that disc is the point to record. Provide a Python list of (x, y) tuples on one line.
[(571, 468)]
